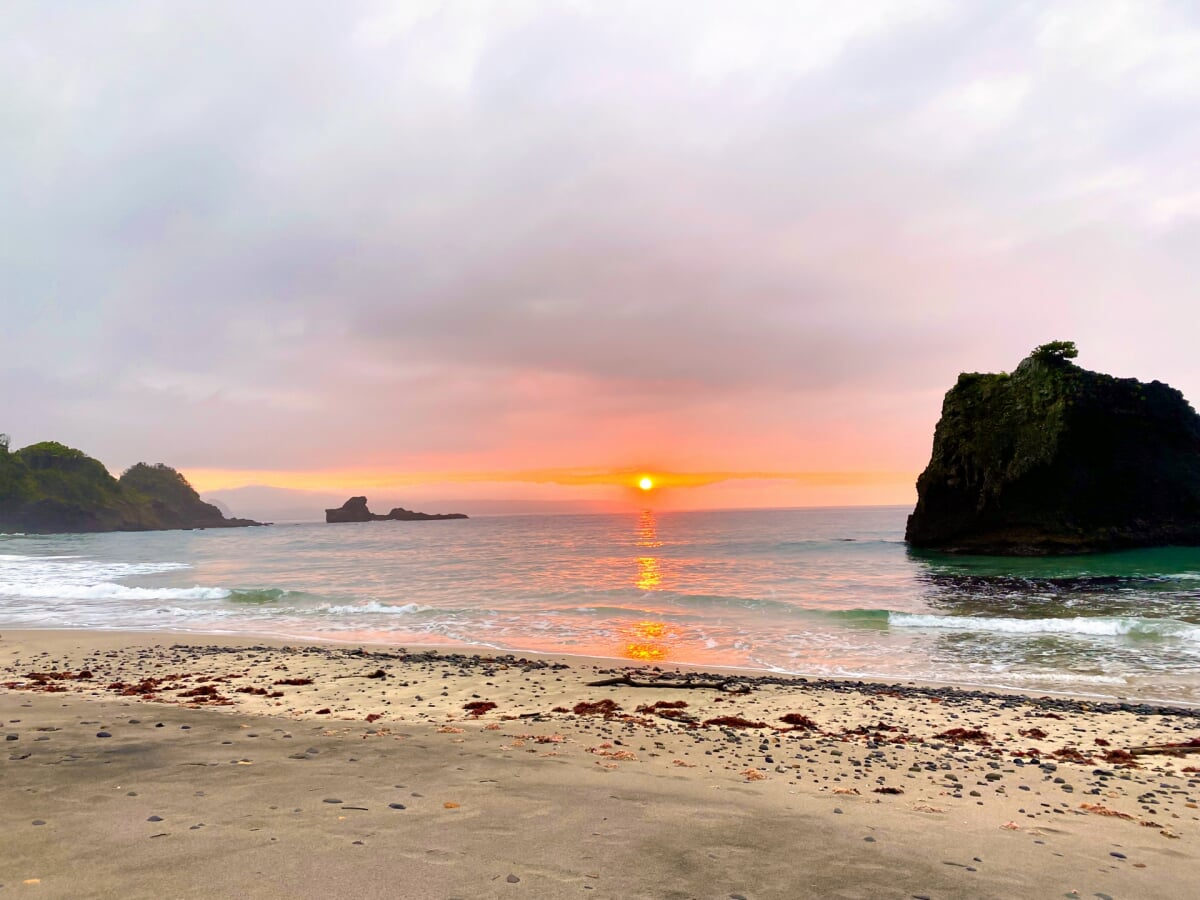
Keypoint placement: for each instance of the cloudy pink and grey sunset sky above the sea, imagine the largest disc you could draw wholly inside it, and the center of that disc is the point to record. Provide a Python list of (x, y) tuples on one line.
[(526, 253)]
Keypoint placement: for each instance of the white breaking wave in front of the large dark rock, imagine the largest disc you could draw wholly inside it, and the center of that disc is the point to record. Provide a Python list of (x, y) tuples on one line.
[(1083, 627)]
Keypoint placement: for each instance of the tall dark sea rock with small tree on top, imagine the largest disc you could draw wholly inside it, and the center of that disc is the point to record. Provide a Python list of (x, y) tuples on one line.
[(1054, 459)]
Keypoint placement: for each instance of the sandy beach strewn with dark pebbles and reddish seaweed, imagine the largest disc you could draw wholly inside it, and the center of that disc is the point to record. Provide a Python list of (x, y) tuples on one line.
[(183, 766)]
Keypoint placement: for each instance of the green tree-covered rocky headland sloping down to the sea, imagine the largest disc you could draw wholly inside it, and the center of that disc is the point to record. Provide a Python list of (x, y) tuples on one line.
[(49, 489)]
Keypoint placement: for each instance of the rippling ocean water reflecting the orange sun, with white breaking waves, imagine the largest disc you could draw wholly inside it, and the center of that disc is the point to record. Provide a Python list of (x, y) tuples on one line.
[(821, 592)]
